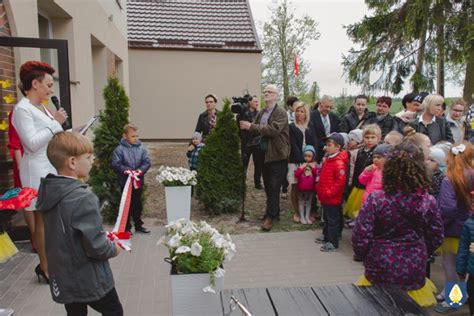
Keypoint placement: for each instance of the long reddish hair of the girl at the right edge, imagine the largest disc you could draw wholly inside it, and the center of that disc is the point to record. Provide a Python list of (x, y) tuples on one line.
[(460, 173)]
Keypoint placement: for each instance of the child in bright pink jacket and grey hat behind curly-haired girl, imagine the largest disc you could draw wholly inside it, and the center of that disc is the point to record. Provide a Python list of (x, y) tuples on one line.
[(371, 177)]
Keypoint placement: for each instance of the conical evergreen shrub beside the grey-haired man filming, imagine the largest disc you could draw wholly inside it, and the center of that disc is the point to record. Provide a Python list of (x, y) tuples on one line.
[(221, 179)]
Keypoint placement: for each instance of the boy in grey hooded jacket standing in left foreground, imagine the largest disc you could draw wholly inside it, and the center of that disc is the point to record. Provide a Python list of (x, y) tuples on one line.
[(77, 248)]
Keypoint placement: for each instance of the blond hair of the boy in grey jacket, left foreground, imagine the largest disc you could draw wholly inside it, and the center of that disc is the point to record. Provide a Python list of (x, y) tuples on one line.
[(66, 144)]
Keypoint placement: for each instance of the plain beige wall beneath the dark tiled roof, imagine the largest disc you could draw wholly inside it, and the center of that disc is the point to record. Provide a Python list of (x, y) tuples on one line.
[(167, 87)]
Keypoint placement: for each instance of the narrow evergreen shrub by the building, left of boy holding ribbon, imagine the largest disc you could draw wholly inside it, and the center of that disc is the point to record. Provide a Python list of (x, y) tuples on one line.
[(106, 137)]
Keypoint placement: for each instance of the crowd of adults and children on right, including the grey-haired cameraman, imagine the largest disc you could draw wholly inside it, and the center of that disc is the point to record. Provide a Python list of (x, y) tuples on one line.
[(401, 182)]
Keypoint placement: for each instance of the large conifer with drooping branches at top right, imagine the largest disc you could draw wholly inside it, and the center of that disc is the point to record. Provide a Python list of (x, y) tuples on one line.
[(409, 41)]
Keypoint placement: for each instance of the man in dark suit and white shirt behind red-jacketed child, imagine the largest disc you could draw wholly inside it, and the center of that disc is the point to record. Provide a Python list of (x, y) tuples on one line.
[(323, 122)]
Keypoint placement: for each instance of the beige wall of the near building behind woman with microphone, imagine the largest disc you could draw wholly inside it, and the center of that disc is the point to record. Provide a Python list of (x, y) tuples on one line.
[(94, 29)]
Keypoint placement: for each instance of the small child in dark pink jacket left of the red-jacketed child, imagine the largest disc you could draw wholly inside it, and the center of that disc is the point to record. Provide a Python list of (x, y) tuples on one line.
[(306, 174)]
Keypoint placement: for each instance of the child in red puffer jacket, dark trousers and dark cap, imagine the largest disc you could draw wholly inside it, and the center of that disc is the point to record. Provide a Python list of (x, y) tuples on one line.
[(330, 190)]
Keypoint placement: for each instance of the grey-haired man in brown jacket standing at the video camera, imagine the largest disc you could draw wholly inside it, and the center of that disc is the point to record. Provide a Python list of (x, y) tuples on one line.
[(271, 124)]
